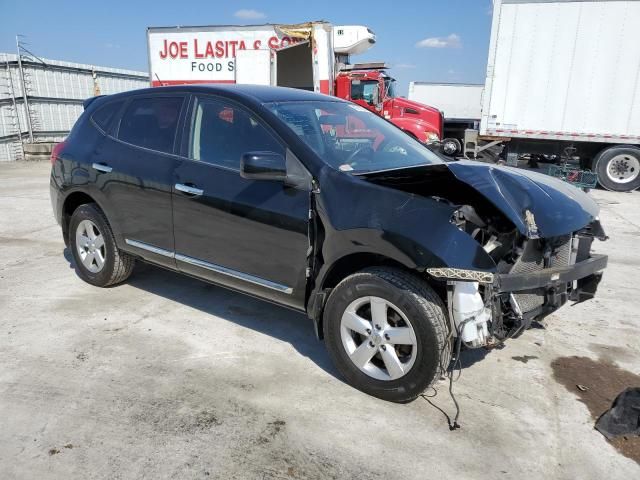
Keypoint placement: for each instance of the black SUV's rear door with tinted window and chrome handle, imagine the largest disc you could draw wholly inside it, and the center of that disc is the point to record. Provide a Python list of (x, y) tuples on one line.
[(137, 163)]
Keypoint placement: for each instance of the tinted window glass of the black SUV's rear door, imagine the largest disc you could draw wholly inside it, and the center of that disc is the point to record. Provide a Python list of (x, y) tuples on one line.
[(151, 123)]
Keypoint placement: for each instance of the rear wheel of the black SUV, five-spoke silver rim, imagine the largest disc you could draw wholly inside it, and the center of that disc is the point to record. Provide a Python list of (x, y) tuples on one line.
[(98, 259)]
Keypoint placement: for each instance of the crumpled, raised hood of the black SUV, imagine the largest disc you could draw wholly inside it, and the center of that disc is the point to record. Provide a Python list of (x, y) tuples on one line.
[(537, 204)]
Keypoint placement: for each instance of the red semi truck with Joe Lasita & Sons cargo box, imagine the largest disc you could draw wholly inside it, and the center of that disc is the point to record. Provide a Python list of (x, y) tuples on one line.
[(313, 56)]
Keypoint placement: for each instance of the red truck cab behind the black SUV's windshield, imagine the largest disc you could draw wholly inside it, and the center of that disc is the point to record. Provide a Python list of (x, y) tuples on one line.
[(373, 89)]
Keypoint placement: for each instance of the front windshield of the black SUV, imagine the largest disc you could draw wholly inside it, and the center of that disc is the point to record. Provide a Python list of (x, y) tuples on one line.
[(350, 138)]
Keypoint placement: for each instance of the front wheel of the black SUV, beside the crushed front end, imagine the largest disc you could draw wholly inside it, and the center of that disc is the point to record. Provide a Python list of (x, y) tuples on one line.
[(387, 333)]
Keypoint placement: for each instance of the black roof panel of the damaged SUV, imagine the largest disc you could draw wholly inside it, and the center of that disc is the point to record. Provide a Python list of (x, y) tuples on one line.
[(259, 93)]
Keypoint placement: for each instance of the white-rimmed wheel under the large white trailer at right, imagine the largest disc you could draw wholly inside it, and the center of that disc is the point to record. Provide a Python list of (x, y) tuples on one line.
[(618, 168)]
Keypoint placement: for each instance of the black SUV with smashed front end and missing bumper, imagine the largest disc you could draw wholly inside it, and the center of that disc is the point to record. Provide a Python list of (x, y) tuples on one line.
[(316, 204)]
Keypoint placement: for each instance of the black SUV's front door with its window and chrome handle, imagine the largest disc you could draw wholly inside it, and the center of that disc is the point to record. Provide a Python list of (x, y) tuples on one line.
[(251, 235)]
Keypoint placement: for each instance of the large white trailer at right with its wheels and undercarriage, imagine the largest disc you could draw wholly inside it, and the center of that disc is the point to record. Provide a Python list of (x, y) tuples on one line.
[(564, 77)]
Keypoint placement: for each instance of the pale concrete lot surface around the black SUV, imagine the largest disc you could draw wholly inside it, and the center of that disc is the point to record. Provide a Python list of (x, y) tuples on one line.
[(168, 377)]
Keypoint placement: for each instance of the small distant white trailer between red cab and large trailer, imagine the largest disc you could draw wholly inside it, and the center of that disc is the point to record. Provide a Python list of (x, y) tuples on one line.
[(460, 103)]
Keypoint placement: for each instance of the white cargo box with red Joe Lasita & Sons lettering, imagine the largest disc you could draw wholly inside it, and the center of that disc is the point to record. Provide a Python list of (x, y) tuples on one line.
[(257, 54)]
